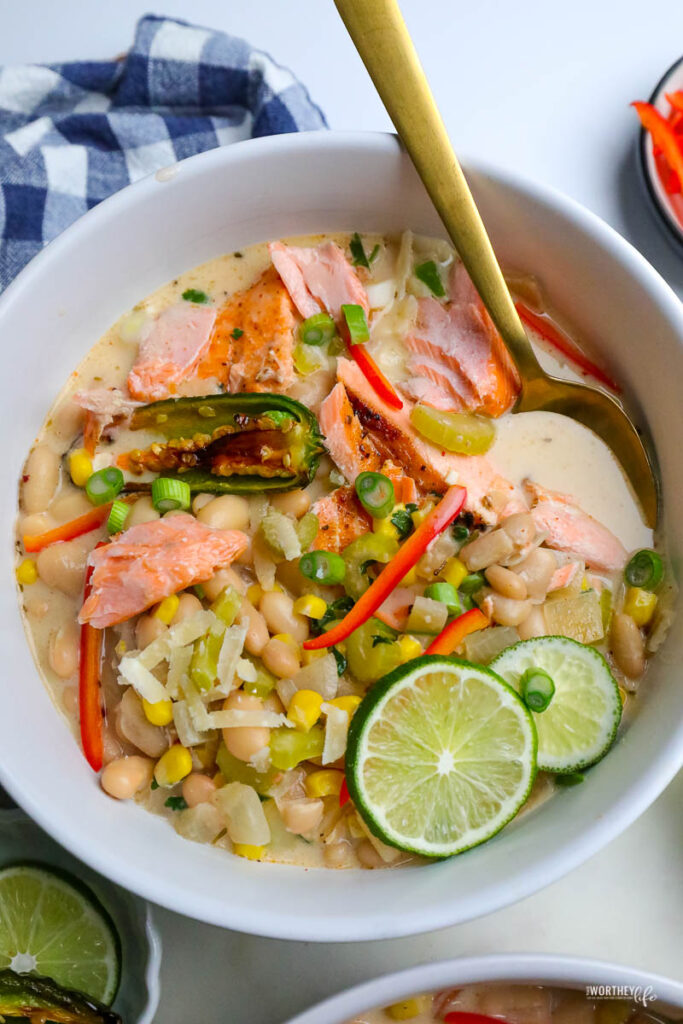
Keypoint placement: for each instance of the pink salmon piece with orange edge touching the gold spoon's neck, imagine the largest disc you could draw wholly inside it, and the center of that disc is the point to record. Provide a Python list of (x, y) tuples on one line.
[(457, 356)]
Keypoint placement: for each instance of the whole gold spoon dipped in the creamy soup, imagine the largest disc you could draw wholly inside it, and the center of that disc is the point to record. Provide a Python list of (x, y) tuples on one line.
[(382, 39)]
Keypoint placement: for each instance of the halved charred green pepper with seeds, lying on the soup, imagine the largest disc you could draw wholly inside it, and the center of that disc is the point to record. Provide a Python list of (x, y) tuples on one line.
[(230, 444)]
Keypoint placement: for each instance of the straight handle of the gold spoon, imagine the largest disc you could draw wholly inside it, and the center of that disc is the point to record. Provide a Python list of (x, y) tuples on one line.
[(382, 39)]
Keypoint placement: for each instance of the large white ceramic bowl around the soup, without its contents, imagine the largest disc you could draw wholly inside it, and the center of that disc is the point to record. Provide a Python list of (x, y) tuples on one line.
[(220, 202)]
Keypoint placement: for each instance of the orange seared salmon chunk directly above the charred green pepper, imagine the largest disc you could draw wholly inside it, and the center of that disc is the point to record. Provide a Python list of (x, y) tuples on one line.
[(253, 342)]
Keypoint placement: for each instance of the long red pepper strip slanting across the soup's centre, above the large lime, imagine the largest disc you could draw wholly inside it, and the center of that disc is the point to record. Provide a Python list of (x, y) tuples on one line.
[(411, 551)]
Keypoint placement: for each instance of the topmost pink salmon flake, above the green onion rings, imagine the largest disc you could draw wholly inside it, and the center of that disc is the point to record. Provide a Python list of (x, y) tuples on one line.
[(319, 278)]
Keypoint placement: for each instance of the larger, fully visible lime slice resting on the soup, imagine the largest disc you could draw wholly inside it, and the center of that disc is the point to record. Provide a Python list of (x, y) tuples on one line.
[(442, 754)]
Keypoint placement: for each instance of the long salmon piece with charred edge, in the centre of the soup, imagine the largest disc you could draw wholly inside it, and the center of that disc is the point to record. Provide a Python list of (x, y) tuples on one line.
[(490, 496)]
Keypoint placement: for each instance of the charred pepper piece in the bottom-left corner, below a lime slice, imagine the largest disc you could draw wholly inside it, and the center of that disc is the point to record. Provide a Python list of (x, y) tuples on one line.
[(28, 996)]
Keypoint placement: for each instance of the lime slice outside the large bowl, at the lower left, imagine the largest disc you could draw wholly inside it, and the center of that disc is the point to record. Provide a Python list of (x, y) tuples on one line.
[(52, 925)]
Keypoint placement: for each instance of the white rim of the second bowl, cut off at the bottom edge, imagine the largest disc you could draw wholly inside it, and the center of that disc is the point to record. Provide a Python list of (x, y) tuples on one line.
[(567, 972)]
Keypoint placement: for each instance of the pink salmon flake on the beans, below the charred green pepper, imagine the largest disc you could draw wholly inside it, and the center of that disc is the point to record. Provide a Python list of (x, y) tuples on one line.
[(152, 562)]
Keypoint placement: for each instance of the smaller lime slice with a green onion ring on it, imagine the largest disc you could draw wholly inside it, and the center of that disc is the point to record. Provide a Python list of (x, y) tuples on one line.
[(580, 724)]
